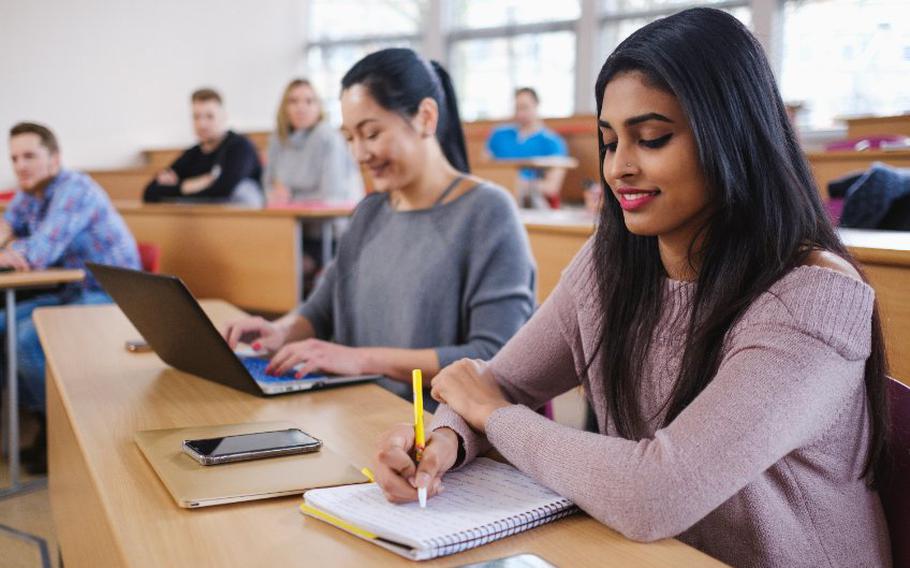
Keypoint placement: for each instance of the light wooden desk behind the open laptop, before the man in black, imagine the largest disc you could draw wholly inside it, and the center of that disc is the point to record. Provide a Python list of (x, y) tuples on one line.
[(250, 257)]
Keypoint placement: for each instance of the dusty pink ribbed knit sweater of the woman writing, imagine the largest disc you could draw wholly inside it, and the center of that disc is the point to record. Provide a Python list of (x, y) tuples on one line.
[(762, 469)]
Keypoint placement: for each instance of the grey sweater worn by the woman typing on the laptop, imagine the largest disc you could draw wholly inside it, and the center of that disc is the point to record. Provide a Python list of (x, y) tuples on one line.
[(457, 277)]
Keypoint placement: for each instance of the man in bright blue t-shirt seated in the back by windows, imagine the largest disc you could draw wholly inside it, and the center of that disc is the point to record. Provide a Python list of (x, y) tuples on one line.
[(528, 137)]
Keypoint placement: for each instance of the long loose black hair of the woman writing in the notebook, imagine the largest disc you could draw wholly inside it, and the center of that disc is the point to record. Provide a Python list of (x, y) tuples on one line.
[(769, 216)]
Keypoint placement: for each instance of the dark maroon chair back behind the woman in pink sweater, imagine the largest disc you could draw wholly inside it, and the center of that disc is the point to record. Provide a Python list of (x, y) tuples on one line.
[(895, 493)]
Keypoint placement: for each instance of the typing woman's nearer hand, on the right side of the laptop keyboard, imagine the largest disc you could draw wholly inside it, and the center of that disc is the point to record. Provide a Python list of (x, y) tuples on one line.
[(317, 355)]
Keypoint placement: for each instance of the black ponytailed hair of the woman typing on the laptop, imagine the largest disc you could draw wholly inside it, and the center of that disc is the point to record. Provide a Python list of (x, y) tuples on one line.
[(399, 79)]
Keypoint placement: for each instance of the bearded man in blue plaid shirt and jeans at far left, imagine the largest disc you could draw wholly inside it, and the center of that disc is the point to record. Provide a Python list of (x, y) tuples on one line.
[(58, 218)]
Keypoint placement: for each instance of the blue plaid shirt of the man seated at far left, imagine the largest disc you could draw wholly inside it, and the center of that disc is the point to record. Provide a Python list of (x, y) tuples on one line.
[(72, 223)]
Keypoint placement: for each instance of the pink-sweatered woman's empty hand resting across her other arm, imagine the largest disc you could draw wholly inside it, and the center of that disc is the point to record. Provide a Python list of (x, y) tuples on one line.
[(470, 390)]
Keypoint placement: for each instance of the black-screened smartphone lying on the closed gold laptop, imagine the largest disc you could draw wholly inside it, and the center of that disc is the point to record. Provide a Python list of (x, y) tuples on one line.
[(214, 451)]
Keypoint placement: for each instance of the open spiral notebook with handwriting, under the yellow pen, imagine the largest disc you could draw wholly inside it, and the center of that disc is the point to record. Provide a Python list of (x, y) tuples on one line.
[(483, 502)]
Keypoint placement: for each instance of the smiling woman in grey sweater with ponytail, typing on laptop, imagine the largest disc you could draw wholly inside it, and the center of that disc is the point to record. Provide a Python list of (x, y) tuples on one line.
[(435, 266)]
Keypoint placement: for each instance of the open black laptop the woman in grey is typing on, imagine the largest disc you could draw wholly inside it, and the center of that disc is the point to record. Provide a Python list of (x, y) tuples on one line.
[(175, 326)]
